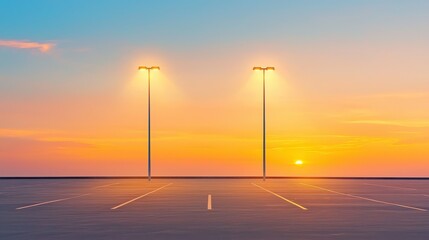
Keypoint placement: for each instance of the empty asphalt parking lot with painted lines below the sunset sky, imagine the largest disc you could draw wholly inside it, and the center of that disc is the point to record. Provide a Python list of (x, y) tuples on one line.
[(241, 209)]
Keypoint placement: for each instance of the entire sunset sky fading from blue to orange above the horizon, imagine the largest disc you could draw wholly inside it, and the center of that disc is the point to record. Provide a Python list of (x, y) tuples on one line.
[(349, 97)]
